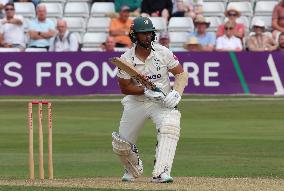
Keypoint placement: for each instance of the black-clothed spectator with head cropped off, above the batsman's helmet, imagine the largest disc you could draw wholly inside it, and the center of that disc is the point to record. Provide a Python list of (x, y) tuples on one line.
[(157, 8)]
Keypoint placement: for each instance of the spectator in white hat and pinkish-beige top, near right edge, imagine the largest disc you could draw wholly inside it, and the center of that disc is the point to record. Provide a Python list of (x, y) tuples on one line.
[(260, 41)]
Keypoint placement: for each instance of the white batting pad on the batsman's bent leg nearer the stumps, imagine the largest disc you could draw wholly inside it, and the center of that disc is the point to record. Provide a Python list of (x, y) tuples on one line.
[(128, 155)]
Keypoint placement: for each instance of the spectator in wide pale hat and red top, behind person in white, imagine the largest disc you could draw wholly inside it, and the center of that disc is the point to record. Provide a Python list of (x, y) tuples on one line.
[(232, 14)]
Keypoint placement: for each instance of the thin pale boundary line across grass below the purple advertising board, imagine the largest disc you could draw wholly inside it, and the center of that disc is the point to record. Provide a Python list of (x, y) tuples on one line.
[(118, 100)]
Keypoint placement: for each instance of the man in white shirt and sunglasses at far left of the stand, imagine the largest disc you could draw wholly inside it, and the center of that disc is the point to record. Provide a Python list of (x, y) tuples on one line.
[(12, 30)]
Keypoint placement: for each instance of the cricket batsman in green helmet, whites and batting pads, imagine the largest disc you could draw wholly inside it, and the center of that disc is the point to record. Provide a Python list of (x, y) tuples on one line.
[(154, 62)]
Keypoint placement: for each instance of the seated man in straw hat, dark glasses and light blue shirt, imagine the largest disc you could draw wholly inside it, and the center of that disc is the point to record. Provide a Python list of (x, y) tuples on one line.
[(205, 39)]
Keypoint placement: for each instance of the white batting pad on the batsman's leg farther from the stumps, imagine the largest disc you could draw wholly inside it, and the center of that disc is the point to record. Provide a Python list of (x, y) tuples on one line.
[(168, 136)]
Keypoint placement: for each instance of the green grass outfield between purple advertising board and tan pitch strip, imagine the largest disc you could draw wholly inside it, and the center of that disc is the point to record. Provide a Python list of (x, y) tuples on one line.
[(220, 137)]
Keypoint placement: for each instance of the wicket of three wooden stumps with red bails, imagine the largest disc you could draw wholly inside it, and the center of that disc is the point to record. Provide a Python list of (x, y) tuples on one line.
[(40, 140)]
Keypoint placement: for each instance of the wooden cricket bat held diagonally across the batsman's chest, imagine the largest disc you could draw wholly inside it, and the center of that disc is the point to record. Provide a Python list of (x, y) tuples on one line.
[(134, 73)]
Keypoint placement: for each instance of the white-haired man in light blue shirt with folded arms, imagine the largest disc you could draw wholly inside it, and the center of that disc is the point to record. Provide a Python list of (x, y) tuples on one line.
[(41, 29)]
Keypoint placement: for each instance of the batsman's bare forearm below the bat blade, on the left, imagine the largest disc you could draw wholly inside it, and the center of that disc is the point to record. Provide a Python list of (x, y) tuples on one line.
[(129, 88)]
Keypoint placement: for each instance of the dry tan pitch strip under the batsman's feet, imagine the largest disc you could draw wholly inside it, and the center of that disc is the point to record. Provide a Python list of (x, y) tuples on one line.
[(180, 183)]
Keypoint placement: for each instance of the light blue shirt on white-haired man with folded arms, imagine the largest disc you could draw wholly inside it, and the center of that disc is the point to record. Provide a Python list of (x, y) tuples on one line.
[(35, 25)]
